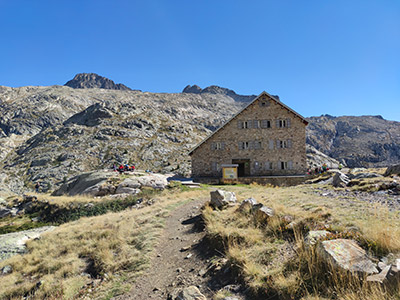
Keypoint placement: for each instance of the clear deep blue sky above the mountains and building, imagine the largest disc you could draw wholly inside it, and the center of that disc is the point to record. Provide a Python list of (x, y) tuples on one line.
[(338, 57)]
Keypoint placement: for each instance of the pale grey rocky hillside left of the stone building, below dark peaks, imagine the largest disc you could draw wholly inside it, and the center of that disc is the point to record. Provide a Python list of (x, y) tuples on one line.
[(68, 131)]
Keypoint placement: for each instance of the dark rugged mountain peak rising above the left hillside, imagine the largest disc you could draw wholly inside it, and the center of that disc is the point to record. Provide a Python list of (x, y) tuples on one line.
[(92, 80)]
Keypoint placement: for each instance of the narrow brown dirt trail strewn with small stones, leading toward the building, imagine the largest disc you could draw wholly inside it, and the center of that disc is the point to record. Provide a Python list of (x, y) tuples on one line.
[(178, 258)]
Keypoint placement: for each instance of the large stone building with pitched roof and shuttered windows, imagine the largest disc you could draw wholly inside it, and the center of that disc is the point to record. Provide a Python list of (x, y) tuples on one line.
[(266, 138)]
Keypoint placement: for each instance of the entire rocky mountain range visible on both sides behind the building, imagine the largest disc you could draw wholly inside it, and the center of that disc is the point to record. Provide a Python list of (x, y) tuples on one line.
[(51, 133)]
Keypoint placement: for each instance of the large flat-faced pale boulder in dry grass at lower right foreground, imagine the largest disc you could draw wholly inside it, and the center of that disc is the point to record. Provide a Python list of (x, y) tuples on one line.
[(347, 255)]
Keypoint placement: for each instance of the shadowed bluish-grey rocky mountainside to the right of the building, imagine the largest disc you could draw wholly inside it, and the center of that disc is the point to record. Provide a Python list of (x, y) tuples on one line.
[(365, 141)]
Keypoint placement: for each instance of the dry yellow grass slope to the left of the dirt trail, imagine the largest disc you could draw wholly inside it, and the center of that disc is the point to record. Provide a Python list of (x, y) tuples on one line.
[(115, 247)]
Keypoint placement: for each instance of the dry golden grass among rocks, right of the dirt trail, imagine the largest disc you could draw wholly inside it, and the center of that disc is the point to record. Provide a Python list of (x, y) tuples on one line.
[(273, 260)]
